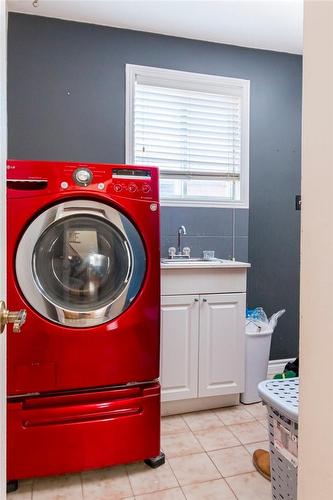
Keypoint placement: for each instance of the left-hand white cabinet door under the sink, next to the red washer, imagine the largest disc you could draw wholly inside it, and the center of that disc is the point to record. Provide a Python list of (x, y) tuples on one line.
[(179, 347)]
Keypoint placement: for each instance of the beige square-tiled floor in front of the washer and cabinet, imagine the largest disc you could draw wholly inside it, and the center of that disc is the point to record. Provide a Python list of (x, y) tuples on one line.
[(208, 457)]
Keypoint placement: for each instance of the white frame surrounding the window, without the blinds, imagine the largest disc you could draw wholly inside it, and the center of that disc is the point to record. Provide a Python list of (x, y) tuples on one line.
[(203, 83)]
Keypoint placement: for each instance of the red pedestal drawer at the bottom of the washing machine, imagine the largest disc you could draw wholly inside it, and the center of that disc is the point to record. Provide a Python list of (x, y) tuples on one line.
[(76, 432)]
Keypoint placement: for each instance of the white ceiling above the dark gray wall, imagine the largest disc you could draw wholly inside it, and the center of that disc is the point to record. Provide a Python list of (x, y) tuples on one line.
[(263, 24)]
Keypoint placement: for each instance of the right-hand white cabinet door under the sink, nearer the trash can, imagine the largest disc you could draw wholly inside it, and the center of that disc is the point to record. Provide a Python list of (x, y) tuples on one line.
[(221, 344)]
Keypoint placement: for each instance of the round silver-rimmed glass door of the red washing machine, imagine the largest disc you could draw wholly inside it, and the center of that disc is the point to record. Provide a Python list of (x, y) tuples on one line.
[(80, 263)]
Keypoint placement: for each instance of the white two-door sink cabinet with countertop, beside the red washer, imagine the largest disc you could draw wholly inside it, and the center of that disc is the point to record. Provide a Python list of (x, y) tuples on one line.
[(202, 334)]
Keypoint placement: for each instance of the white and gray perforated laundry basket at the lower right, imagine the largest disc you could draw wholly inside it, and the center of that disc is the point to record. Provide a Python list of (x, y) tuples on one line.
[(281, 398)]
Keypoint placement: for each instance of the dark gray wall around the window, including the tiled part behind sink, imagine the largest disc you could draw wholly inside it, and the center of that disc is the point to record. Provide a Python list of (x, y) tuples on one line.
[(66, 101)]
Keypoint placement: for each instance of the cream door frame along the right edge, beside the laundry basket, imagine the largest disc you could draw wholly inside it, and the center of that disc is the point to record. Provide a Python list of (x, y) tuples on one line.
[(315, 478)]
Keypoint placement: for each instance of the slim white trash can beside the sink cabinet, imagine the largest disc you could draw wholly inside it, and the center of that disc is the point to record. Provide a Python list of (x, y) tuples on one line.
[(257, 347)]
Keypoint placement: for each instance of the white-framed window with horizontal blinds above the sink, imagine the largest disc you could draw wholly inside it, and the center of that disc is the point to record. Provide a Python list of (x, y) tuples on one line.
[(195, 128)]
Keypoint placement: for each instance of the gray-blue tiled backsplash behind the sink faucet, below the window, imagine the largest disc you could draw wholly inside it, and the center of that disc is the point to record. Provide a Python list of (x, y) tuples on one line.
[(224, 230)]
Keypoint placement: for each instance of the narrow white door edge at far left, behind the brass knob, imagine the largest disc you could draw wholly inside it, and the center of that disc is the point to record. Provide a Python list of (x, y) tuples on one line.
[(3, 157)]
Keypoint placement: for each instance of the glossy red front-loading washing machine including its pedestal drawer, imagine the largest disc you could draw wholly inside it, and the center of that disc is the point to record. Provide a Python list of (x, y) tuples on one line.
[(83, 260)]
